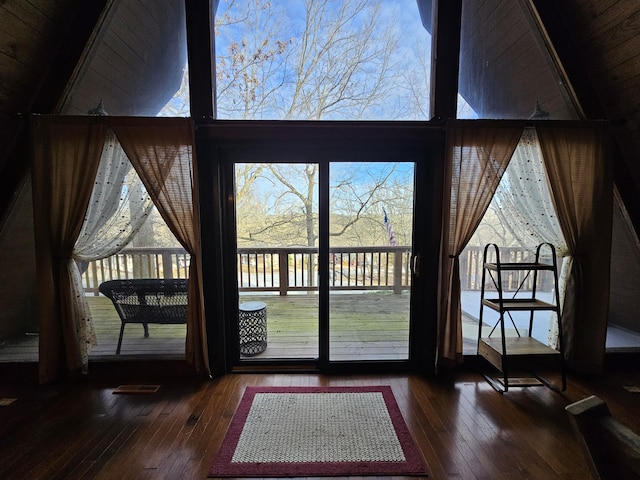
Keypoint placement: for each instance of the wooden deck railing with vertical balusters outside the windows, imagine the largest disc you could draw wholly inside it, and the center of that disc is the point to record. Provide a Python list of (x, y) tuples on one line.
[(295, 269)]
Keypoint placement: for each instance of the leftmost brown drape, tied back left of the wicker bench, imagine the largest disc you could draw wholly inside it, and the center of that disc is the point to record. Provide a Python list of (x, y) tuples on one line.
[(66, 154)]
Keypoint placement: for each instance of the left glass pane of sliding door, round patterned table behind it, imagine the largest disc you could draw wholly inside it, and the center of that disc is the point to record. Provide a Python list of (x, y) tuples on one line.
[(277, 260)]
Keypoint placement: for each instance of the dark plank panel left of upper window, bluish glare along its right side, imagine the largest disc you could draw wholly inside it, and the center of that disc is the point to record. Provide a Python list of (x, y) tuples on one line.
[(136, 61)]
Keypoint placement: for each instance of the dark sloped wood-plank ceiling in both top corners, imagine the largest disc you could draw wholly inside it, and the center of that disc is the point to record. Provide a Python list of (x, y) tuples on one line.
[(42, 44)]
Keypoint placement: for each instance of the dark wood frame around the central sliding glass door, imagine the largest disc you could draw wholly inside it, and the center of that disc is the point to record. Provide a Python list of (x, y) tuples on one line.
[(217, 138)]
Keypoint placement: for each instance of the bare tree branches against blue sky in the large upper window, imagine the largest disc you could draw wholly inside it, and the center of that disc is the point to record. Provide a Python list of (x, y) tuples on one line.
[(339, 64)]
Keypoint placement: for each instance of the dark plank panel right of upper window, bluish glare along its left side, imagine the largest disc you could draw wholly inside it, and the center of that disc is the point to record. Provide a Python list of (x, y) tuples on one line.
[(504, 68)]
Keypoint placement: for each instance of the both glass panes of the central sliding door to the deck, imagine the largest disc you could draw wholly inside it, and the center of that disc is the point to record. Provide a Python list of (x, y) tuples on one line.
[(281, 262)]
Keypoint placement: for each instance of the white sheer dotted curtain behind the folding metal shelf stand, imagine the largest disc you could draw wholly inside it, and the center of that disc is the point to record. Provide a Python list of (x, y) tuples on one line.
[(524, 205)]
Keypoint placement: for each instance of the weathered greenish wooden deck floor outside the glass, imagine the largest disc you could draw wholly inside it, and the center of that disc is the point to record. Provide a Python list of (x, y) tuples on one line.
[(364, 326)]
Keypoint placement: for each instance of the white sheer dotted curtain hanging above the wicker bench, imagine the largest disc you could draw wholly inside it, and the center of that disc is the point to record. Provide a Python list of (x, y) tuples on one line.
[(118, 207)]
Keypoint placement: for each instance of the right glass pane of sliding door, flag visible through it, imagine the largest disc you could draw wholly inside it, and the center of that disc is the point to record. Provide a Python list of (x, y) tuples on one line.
[(370, 233)]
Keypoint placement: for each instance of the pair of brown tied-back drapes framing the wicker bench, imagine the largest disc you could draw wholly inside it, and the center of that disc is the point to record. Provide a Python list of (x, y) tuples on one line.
[(66, 157)]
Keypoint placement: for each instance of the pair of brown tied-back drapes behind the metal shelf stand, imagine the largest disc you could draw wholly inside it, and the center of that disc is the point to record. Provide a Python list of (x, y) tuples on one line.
[(576, 157)]
